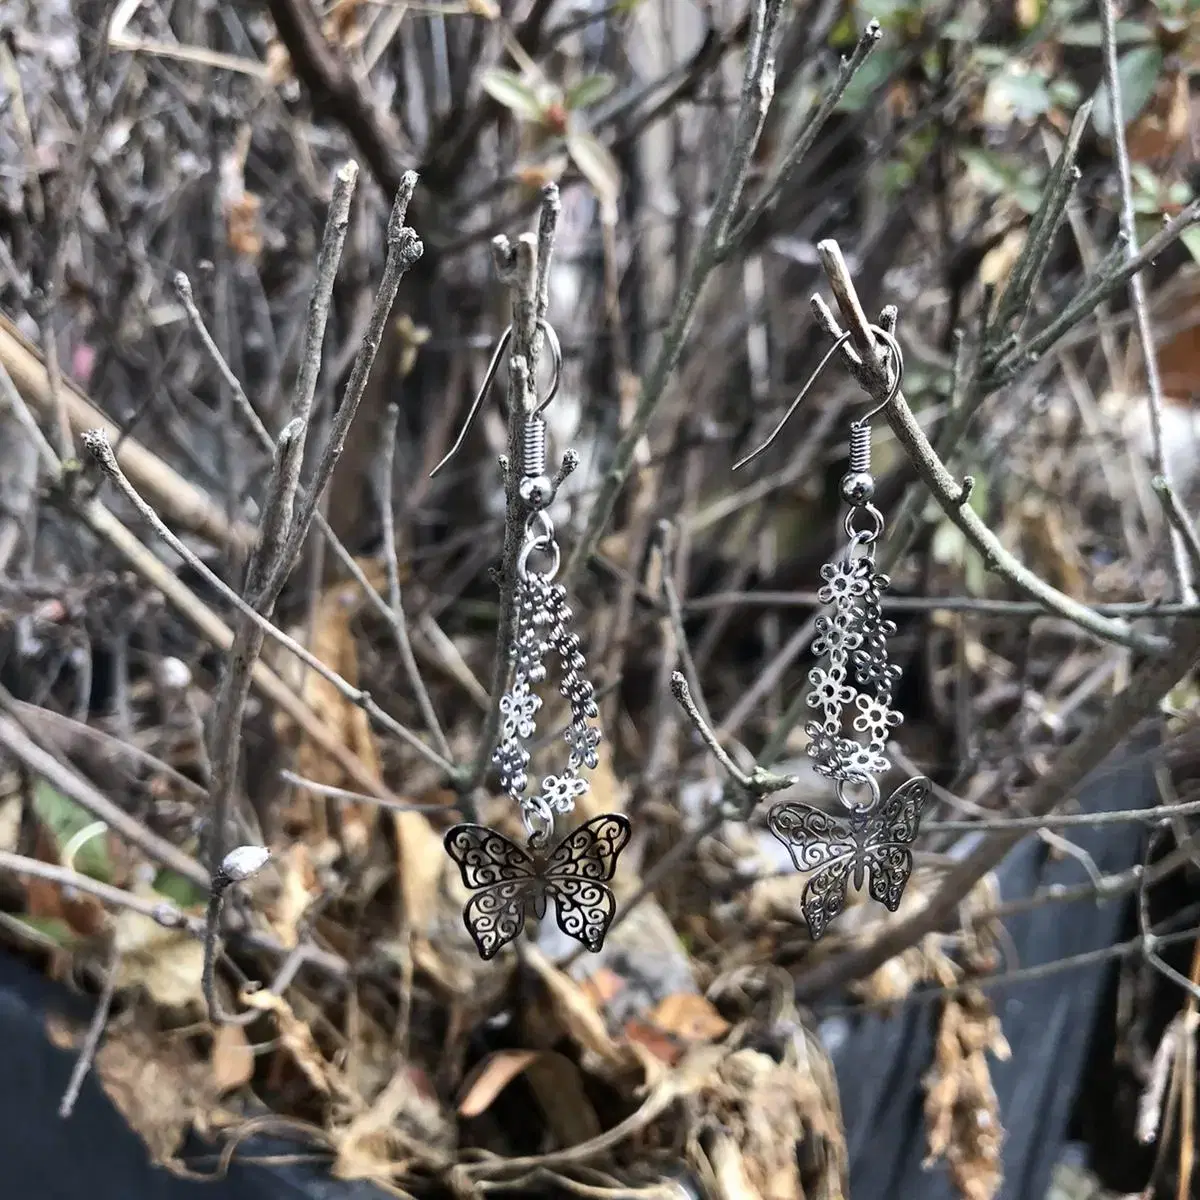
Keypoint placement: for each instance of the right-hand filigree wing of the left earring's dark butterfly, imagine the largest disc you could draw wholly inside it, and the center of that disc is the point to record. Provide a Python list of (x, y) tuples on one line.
[(577, 875)]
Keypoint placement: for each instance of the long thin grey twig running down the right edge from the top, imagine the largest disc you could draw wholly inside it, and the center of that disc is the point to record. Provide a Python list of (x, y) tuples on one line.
[(1184, 577)]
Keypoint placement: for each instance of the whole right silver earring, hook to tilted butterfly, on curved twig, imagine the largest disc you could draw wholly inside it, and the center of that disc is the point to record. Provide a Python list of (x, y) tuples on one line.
[(853, 688)]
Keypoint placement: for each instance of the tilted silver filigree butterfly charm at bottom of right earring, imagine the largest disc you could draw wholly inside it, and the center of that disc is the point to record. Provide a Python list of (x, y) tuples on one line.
[(833, 848)]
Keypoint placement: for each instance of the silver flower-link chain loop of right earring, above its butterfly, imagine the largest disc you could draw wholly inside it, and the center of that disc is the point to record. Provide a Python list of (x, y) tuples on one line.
[(855, 679)]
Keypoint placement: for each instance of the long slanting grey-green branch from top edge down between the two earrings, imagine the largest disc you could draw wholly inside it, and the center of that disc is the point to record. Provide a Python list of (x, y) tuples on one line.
[(758, 88)]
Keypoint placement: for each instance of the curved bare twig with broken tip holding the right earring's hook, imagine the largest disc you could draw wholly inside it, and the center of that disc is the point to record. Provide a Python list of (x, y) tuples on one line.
[(951, 495)]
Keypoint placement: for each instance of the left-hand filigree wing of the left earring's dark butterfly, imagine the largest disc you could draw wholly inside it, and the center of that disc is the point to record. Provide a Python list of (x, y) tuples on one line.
[(503, 878)]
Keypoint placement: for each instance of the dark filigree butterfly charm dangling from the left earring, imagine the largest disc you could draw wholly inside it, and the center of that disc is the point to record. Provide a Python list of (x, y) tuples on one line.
[(508, 879)]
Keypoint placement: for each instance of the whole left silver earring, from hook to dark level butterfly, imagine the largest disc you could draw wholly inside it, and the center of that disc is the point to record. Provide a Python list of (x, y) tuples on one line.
[(507, 879)]
